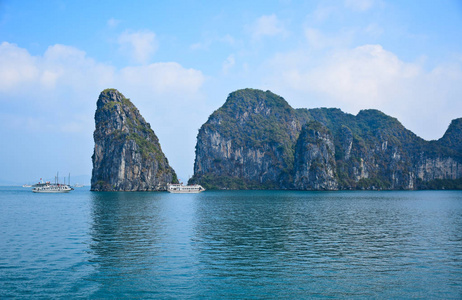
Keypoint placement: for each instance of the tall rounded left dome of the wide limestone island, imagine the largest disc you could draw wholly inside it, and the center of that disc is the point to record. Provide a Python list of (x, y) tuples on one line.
[(247, 143)]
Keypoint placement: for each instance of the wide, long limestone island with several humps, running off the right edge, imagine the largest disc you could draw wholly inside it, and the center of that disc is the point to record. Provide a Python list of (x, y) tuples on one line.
[(256, 140)]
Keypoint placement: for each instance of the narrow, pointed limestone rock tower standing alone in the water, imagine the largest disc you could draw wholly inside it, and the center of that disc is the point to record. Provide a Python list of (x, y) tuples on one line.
[(127, 154)]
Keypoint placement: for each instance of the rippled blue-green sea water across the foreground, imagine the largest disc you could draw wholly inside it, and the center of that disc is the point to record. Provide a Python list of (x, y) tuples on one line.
[(230, 245)]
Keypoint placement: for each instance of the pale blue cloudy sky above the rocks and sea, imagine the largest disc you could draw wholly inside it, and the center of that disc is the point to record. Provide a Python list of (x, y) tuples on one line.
[(178, 61)]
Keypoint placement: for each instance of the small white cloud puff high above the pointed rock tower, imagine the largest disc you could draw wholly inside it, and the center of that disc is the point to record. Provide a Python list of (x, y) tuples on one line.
[(139, 46)]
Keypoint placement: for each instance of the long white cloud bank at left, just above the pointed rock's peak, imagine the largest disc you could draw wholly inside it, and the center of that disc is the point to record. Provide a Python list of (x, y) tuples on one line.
[(64, 67)]
